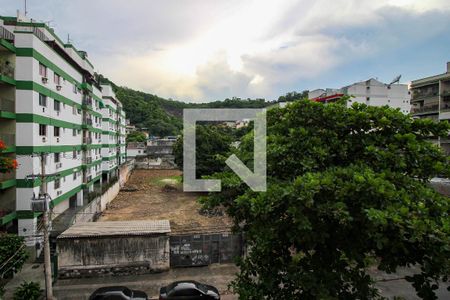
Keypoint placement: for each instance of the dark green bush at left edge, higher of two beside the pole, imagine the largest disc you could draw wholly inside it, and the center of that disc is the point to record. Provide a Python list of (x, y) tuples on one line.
[(13, 254)]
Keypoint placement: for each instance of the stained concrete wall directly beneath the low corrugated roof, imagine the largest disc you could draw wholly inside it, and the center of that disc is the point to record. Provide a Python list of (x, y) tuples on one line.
[(116, 255)]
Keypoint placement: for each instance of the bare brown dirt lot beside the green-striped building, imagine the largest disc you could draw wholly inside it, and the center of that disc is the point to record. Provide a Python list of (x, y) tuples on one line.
[(159, 196)]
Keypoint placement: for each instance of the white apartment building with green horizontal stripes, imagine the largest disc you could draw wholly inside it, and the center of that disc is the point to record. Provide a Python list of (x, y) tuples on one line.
[(51, 102)]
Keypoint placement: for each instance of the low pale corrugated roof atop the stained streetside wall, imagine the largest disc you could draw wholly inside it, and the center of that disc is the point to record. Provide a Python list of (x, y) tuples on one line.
[(116, 228)]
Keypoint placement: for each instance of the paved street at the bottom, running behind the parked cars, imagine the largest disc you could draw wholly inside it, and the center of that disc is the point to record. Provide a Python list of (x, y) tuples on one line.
[(217, 275)]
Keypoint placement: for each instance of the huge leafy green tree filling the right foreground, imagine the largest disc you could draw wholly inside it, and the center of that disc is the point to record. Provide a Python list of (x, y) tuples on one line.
[(346, 187)]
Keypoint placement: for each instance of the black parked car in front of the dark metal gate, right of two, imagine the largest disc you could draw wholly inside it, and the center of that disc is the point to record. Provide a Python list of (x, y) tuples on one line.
[(188, 290)]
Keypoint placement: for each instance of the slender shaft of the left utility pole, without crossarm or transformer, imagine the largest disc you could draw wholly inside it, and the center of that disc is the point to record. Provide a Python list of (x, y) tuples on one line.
[(47, 263)]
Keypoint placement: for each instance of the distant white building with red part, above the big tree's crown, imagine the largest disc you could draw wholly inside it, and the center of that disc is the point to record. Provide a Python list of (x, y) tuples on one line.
[(371, 92)]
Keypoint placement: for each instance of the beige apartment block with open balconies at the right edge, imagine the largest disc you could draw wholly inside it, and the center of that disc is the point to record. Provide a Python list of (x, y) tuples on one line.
[(431, 99)]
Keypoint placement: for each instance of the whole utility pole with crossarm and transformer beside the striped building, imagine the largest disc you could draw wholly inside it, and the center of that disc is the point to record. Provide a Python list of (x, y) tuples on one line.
[(41, 204)]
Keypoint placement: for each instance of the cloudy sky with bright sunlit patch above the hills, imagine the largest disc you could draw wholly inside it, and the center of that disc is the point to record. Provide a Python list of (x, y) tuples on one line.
[(204, 50)]
